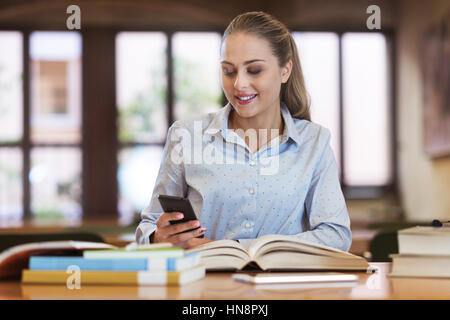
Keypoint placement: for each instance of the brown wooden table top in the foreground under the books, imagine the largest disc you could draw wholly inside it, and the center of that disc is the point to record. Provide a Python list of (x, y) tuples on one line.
[(220, 286)]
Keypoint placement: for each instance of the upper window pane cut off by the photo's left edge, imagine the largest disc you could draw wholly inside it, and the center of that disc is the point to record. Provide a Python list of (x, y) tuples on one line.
[(11, 92)]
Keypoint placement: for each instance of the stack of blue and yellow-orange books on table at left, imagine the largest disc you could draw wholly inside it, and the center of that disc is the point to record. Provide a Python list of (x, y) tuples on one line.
[(142, 265)]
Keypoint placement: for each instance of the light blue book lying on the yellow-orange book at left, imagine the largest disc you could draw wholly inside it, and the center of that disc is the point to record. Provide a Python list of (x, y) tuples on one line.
[(133, 264)]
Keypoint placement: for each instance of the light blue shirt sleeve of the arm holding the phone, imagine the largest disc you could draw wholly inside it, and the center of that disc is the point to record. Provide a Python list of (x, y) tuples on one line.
[(170, 181)]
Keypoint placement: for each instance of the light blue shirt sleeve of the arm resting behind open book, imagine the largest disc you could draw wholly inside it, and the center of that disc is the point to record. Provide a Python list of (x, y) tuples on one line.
[(325, 206)]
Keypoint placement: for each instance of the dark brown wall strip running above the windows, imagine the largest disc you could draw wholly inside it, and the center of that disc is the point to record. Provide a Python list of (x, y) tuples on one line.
[(190, 13)]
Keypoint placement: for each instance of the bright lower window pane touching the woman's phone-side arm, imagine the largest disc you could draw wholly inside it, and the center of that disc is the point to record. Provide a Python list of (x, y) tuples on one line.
[(138, 169)]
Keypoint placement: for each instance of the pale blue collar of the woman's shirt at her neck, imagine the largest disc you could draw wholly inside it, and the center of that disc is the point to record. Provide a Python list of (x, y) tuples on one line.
[(220, 123)]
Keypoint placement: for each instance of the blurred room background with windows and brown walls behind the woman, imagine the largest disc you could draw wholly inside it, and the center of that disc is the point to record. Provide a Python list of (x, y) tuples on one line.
[(84, 113)]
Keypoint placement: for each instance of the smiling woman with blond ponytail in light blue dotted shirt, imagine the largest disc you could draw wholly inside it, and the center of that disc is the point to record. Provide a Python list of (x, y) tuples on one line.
[(287, 180)]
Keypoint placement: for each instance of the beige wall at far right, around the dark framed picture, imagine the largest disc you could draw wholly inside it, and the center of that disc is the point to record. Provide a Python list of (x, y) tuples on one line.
[(424, 182)]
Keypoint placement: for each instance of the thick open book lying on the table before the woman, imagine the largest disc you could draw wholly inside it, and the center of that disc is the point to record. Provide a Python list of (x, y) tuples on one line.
[(277, 252)]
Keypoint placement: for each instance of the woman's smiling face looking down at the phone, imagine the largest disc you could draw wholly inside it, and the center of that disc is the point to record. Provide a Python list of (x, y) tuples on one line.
[(251, 75)]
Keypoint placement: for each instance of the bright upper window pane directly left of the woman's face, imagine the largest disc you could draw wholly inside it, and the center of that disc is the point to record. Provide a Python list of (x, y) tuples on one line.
[(197, 74)]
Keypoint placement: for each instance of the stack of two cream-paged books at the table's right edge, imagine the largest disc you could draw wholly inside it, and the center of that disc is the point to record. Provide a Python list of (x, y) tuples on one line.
[(423, 252)]
